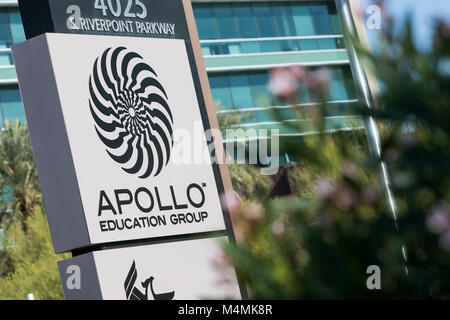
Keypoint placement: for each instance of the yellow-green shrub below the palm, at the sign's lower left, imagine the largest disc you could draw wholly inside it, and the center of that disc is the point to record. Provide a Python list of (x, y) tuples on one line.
[(32, 262)]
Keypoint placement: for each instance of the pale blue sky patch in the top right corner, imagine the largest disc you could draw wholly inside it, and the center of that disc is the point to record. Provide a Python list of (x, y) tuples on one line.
[(422, 12)]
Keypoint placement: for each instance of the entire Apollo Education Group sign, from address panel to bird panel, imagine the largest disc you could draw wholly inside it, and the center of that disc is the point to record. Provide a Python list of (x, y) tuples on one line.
[(118, 106)]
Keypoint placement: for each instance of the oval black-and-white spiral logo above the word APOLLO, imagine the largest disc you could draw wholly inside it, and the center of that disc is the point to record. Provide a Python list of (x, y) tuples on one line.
[(131, 113)]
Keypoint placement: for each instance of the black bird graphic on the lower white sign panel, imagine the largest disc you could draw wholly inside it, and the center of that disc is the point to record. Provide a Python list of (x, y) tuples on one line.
[(133, 293)]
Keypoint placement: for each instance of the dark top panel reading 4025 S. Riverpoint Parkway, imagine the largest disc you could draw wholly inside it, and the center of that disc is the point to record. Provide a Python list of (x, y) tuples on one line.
[(137, 18)]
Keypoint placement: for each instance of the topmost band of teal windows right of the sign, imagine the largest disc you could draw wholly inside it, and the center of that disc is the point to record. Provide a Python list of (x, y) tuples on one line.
[(240, 28)]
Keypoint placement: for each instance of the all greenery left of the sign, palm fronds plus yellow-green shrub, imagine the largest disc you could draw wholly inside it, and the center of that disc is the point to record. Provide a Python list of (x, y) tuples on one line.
[(27, 260)]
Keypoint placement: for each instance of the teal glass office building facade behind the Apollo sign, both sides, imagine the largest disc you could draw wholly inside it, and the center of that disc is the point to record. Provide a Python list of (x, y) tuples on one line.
[(241, 42)]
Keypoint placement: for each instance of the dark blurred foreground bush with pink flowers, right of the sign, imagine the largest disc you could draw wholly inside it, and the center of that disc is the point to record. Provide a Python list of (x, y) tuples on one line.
[(319, 244)]
